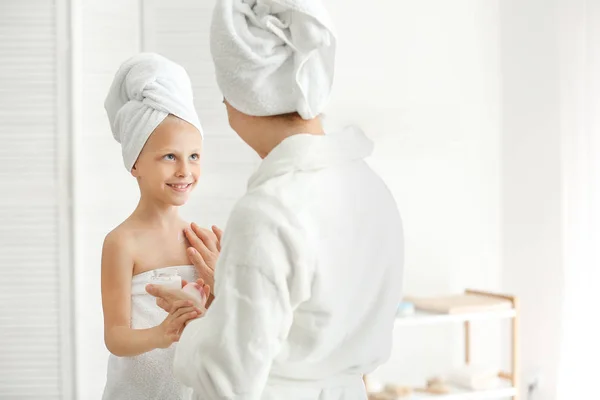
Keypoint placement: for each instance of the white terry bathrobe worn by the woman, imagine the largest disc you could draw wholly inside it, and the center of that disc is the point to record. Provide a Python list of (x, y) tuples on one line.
[(307, 283)]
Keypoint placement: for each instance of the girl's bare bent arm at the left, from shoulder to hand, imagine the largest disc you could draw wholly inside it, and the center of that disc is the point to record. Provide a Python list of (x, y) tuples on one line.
[(120, 339)]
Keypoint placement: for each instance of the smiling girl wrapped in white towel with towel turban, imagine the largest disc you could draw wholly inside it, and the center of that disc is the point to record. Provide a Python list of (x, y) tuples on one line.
[(151, 111)]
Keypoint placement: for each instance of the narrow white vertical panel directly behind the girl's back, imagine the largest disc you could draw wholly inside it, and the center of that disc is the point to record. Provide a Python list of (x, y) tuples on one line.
[(107, 32)]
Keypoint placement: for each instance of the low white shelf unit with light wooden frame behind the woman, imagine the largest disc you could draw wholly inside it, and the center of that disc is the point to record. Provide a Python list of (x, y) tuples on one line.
[(510, 379)]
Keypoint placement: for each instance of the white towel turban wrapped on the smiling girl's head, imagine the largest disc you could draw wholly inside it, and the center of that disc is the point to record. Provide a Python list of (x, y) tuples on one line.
[(146, 89)]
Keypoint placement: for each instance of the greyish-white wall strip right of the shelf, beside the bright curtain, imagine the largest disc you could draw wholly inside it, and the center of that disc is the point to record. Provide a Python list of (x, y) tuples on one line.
[(531, 181)]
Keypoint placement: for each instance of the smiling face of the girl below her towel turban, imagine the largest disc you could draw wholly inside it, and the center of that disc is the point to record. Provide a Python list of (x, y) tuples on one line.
[(168, 167)]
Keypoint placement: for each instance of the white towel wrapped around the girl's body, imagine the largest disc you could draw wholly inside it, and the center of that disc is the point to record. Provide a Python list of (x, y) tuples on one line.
[(148, 376)]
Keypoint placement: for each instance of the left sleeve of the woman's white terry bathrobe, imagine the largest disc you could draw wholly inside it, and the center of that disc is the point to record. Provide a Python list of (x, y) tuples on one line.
[(260, 277)]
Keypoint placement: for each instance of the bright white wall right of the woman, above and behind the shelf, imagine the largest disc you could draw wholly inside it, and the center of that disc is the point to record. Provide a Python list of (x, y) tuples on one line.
[(423, 79)]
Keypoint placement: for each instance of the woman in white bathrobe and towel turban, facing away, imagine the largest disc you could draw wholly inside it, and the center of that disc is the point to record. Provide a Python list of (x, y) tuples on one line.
[(310, 267)]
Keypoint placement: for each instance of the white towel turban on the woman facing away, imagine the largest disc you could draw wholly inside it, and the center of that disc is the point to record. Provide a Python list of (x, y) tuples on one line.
[(273, 56)]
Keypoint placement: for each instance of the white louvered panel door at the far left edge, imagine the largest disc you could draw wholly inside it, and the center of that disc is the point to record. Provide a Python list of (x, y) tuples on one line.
[(35, 250)]
